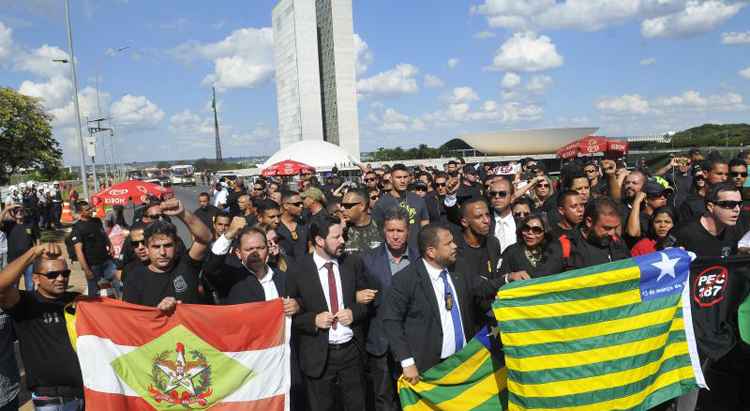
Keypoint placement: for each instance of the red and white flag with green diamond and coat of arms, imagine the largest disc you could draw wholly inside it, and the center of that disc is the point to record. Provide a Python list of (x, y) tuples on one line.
[(201, 357)]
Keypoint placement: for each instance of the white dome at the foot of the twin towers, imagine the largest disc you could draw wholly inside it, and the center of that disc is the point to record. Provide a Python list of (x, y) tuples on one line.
[(316, 153)]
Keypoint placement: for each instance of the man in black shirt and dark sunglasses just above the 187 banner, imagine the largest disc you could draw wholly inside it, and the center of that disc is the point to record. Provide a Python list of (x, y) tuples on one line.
[(716, 232)]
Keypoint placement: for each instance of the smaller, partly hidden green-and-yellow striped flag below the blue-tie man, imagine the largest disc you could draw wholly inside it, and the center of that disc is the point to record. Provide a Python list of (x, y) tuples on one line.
[(471, 379)]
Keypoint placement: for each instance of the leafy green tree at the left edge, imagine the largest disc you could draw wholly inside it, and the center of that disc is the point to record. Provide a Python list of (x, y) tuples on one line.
[(26, 141)]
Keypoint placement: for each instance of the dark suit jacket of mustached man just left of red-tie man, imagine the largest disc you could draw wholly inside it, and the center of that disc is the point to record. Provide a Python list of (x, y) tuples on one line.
[(235, 283)]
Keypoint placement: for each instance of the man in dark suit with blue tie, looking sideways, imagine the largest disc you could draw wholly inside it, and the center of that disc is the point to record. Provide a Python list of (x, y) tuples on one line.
[(430, 307)]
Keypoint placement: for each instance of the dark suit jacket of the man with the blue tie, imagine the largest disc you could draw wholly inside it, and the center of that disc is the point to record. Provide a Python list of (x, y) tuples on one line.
[(412, 318)]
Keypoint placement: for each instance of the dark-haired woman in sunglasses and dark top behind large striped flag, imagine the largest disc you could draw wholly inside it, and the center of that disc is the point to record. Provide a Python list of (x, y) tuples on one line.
[(535, 252)]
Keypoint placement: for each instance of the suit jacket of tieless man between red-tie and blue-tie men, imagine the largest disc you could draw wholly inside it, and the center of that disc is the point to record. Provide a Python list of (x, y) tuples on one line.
[(378, 276)]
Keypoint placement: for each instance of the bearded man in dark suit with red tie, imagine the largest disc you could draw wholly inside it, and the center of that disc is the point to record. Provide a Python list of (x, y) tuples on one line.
[(328, 325)]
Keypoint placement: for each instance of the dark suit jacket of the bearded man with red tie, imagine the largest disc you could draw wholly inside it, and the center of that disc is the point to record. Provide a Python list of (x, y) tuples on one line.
[(304, 285)]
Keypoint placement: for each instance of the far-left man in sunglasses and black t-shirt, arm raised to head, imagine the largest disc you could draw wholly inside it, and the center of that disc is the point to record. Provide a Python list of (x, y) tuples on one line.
[(52, 372)]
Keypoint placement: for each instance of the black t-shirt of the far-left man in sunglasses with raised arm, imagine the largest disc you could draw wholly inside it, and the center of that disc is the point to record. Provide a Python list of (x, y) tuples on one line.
[(45, 346)]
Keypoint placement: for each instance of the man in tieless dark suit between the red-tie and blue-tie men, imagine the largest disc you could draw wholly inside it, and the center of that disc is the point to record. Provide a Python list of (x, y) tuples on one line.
[(381, 264)]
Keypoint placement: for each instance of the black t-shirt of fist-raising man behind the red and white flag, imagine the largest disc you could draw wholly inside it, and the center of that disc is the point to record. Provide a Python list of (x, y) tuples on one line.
[(146, 287)]
